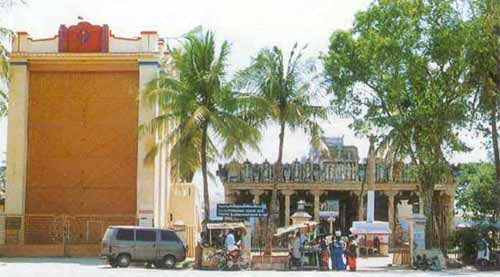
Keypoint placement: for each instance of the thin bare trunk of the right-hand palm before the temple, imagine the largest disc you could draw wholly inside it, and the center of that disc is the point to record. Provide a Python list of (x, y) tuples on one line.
[(274, 196)]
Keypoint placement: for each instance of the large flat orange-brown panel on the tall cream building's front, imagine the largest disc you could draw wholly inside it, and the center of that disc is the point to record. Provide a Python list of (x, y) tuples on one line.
[(82, 145)]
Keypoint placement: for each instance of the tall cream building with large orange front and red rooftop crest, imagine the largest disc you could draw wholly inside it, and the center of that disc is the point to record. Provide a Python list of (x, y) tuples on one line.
[(75, 159)]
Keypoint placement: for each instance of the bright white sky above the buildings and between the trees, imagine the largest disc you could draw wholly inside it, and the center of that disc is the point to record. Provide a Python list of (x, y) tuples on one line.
[(247, 25)]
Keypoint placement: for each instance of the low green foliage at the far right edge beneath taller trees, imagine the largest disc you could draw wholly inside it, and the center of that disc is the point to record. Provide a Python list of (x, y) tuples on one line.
[(474, 191)]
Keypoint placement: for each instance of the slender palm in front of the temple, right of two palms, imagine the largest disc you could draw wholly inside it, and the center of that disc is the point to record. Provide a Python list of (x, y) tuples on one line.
[(284, 88)]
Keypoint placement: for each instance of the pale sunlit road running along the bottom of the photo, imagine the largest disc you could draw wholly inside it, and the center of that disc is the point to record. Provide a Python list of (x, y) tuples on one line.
[(89, 267)]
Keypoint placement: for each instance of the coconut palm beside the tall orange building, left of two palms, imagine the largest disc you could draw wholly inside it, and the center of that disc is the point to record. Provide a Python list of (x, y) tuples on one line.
[(198, 109)]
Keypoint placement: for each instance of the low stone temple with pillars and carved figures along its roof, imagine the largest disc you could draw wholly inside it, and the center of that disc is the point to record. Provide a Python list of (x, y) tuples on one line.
[(332, 184)]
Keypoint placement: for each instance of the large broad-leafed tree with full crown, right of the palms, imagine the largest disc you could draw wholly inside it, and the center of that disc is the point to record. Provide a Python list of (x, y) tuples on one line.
[(401, 69)]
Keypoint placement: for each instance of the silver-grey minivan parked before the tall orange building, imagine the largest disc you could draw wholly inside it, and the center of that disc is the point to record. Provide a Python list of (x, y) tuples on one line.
[(124, 244)]
